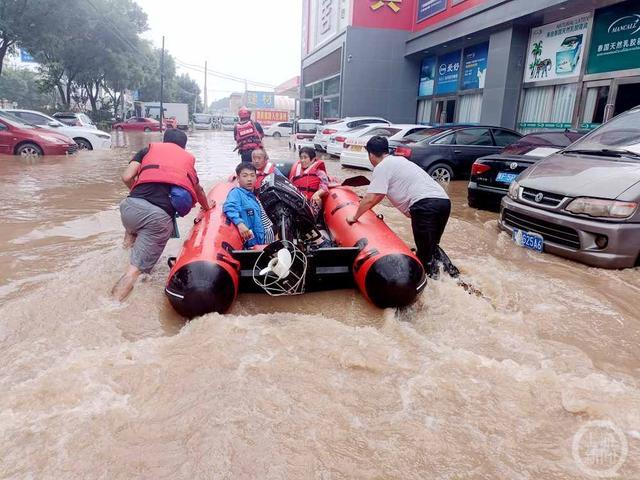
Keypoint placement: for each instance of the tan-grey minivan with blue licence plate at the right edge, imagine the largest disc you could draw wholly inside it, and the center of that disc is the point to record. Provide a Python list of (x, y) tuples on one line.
[(583, 202)]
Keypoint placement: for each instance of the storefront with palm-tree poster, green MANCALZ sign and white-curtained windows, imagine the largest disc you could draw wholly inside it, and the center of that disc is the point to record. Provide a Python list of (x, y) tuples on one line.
[(569, 84)]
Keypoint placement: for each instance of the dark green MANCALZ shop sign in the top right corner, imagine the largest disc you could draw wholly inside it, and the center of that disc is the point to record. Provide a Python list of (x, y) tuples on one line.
[(615, 40)]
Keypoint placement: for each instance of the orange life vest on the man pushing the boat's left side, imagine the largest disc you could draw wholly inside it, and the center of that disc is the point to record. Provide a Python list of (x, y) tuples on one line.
[(169, 163)]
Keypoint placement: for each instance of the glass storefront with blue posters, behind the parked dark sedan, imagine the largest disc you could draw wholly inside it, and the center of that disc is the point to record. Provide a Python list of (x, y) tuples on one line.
[(451, 86)]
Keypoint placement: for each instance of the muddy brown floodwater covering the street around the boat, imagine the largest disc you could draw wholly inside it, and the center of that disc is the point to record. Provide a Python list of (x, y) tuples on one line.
[(323, 386)]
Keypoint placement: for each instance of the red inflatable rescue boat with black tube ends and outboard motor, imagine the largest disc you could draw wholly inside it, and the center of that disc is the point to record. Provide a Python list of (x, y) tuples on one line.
[(213, 267)]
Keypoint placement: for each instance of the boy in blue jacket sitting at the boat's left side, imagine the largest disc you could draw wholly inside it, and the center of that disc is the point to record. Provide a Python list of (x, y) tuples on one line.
[(245, 211)]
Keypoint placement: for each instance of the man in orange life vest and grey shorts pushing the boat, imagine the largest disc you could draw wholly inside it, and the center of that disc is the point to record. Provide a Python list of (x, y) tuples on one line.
[(162, 179)]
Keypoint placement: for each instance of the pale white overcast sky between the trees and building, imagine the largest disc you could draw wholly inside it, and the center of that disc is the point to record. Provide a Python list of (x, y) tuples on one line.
[(254, 39)]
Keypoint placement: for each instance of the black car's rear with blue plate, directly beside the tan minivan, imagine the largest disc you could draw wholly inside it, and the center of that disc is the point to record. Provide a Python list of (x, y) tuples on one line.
[(492, 175)]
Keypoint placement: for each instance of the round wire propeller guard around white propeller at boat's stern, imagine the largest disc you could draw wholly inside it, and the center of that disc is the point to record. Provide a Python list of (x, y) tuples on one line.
[(281, 269)]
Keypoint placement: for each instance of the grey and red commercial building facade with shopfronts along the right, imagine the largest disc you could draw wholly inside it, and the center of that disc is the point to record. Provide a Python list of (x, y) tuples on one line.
[(530, 65)]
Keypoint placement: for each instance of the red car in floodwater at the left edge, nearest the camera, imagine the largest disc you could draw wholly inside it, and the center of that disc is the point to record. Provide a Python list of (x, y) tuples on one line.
[(17, 138)]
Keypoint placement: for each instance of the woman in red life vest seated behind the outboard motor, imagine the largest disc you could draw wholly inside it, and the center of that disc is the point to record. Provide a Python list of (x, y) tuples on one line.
[(310, 177)]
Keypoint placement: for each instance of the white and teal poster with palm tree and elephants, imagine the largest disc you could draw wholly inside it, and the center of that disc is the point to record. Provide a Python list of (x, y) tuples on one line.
[(556, 50)]
